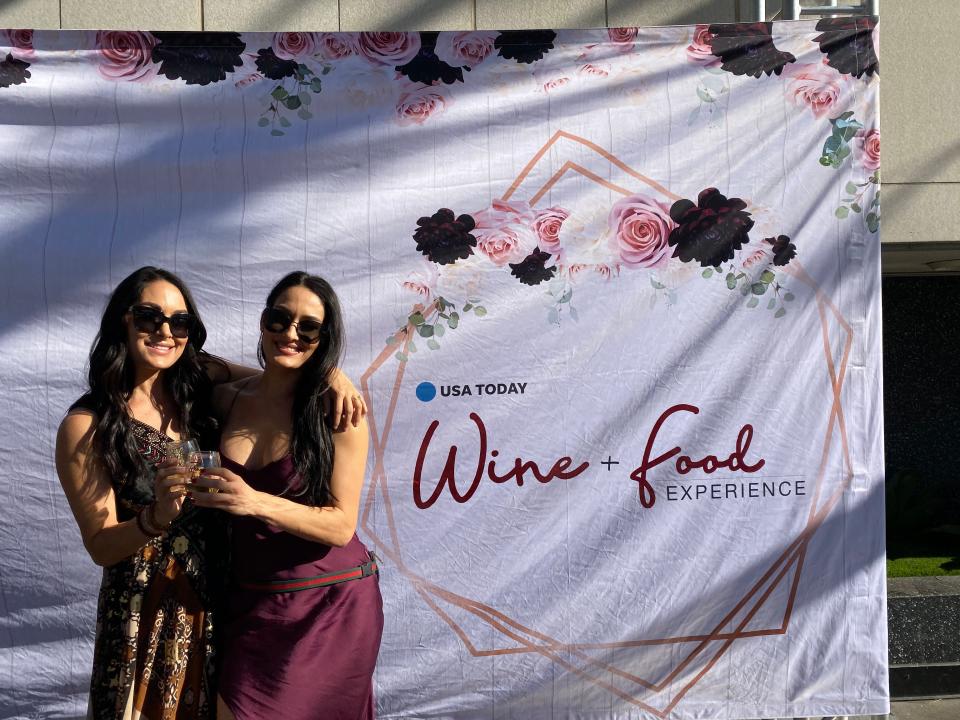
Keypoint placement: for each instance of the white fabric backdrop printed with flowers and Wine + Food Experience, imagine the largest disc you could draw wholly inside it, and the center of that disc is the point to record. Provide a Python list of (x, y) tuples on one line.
[(612, 298)]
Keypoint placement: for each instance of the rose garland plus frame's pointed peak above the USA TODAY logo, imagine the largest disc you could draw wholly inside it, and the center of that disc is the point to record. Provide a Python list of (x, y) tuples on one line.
[(653, 232)]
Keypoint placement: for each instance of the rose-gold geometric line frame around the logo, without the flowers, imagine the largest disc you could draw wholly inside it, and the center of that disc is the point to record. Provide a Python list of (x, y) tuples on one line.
[(529, 640)]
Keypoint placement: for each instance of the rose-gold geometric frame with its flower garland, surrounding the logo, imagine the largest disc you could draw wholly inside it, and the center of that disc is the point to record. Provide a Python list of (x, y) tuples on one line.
[(711, 235)]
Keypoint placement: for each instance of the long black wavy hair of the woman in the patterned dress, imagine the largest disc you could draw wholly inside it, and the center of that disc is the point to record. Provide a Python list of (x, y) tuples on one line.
[(111, 378)]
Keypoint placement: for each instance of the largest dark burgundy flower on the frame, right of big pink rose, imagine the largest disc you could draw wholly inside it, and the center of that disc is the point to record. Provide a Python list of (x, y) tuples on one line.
[(710, 231)]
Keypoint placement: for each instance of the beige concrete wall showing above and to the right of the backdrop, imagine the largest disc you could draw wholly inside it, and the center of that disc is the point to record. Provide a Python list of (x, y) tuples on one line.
[(921, 105)]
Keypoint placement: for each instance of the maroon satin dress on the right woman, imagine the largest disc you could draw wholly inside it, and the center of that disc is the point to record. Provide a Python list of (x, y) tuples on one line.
[(301, 655)]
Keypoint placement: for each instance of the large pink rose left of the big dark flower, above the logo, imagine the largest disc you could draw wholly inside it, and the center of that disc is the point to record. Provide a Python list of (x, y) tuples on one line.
[(639, 228)]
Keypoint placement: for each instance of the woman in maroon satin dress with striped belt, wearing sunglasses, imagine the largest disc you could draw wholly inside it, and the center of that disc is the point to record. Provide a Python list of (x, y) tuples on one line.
[(305, 614)]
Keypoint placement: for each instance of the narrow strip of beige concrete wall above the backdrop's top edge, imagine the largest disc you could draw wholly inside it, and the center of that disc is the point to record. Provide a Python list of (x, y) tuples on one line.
[(359, 14)]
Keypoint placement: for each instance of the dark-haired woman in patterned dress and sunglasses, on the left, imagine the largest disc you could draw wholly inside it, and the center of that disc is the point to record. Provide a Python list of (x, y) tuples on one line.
[(163, 558)]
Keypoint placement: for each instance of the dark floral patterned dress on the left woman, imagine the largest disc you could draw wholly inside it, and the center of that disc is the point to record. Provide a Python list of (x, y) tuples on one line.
[(154, 654)]
